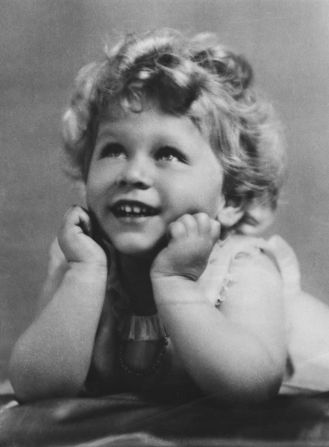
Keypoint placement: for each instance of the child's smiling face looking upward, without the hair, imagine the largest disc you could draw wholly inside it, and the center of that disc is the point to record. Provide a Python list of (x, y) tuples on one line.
[(148, 169)]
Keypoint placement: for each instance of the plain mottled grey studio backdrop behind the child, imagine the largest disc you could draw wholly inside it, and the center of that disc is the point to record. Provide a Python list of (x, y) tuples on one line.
[(45, 42)]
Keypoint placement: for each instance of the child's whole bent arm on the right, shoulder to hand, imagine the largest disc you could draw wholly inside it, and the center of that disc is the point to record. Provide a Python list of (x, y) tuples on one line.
[(237, 353)]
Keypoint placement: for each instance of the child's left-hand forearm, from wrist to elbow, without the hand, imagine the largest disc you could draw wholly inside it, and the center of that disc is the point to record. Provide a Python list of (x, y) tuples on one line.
[(53, 356)]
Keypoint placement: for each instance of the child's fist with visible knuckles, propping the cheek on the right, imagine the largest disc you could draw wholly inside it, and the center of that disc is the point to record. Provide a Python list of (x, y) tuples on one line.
[(192, 238)]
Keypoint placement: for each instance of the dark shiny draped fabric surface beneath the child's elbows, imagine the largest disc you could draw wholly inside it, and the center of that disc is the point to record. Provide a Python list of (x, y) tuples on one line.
[(130, 420)]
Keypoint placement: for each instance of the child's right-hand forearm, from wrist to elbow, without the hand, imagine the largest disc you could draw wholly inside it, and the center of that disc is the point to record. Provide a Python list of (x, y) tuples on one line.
[(224, 359)]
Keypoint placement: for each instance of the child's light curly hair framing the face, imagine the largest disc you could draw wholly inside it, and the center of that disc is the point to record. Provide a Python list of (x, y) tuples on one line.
[(196, 77)]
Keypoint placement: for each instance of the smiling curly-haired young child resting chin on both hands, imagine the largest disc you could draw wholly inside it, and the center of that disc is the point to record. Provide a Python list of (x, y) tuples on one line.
[(159, 281)]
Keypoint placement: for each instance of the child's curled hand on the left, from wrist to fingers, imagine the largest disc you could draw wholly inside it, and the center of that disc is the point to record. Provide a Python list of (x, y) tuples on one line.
[(75, 241)]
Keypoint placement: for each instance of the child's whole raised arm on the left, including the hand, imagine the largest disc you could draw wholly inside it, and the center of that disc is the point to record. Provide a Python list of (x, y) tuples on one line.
[(52, 357)]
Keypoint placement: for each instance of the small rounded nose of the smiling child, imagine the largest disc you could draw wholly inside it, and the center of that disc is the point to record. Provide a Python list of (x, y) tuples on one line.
[(136, 172)]
